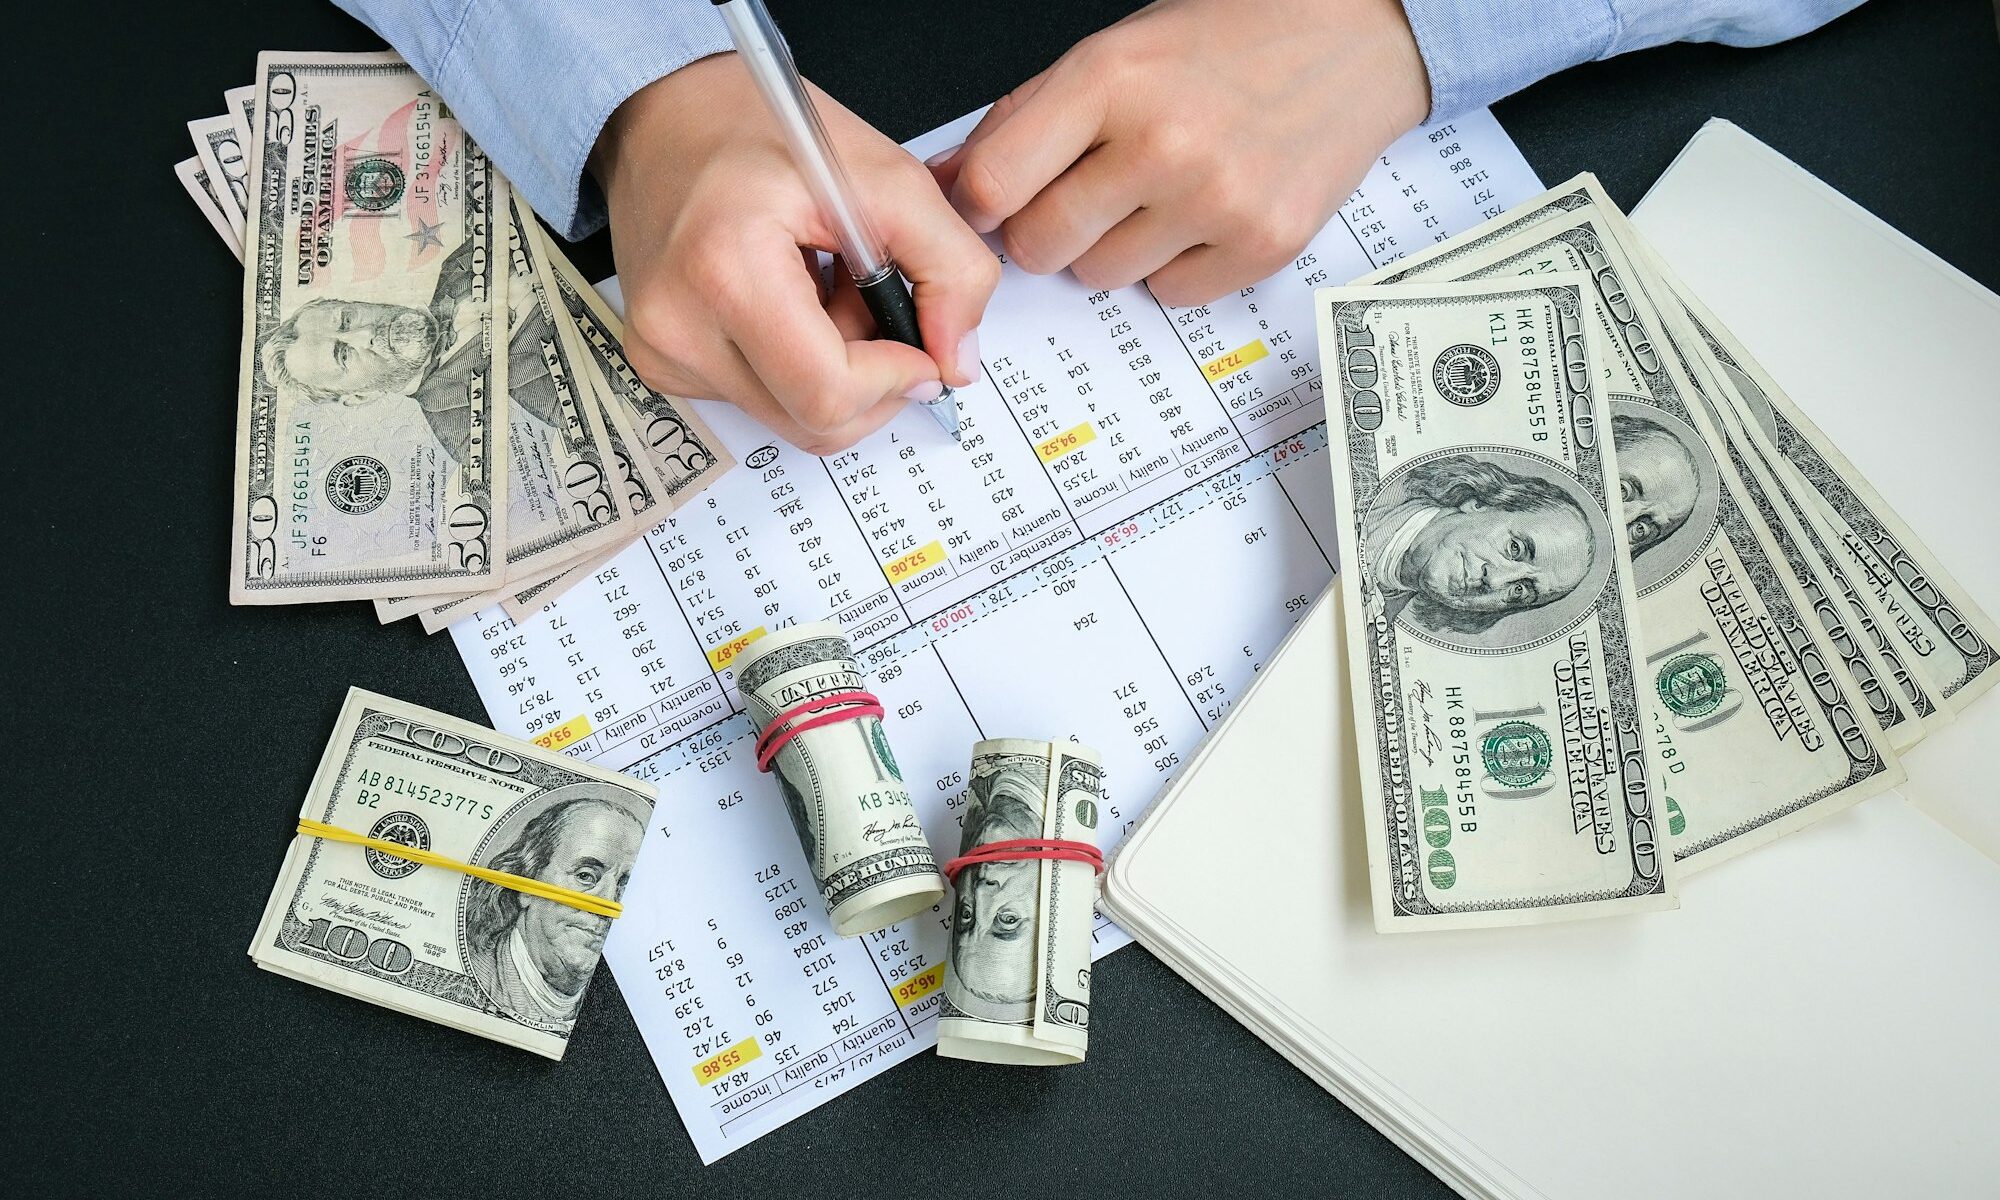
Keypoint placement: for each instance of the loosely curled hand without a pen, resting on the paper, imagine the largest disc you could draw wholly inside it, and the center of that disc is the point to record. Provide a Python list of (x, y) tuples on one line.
[(1197, 145)]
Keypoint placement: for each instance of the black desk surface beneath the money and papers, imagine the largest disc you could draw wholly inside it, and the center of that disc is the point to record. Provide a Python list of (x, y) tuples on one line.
[(167, 737)]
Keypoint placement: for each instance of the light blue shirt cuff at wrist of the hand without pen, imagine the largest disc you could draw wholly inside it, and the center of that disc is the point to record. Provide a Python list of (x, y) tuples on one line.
[(1485, 51)]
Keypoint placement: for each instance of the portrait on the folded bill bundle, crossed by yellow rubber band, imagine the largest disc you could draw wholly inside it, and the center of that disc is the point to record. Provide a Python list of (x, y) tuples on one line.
[(535, 957)]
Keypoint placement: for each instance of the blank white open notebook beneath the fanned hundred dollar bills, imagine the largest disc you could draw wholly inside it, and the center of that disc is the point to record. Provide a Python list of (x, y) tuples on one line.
[(1817, 1017)]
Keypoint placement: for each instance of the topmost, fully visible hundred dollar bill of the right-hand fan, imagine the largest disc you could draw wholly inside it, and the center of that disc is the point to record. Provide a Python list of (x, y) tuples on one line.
[(1491, 607)]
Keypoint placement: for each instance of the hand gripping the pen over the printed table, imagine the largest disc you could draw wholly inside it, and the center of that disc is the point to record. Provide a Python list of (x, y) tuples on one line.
[(709, 223)]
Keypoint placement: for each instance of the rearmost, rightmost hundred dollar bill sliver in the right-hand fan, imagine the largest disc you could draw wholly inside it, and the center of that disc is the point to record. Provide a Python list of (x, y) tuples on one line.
[(1949, 641)]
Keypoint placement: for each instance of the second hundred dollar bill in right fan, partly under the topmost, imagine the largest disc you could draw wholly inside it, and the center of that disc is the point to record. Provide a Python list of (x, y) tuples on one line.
[(1753, 725)]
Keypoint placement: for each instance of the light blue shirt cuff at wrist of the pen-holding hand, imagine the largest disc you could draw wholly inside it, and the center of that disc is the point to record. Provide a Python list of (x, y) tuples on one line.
[(535, 81)]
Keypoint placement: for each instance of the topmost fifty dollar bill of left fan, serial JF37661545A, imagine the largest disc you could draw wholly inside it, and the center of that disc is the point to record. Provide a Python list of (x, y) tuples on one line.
[(375, 381)]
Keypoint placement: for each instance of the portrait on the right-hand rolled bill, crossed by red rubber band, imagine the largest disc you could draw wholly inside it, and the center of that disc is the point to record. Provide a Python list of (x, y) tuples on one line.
[(995, 911)]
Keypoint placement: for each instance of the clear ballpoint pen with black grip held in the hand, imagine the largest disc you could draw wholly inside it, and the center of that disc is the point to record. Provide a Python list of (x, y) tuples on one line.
[(867, 259)]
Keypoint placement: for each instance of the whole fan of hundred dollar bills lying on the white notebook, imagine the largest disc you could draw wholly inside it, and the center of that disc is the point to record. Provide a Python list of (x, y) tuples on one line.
[(1615, 609)]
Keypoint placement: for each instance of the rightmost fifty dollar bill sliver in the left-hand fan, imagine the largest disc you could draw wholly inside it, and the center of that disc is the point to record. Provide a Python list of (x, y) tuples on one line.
[(671, 439)]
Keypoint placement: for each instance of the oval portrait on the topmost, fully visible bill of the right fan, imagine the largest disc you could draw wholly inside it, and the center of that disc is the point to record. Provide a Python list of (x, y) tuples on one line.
[(1461, 543)]
